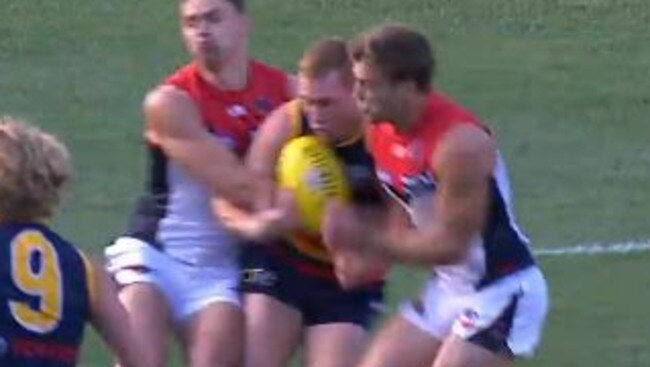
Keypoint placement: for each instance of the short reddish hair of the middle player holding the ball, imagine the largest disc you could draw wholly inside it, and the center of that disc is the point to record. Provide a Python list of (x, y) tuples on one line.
[(324, 56)]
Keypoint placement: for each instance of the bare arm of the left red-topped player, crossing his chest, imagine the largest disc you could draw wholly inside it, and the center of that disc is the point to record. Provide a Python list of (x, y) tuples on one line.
[(174, 124)]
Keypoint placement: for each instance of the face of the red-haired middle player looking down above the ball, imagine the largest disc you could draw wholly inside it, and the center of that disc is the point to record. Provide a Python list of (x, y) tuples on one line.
[(330, 108)]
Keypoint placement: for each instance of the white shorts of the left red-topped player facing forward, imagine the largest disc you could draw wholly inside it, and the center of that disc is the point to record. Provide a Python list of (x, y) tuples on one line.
[(187, 288)]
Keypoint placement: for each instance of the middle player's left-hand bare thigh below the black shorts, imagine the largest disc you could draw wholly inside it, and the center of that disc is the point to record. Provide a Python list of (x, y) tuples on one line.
[(273, 330)]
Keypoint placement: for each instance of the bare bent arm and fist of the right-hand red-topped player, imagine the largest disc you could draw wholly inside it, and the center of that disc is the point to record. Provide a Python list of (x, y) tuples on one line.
[(463, 166)]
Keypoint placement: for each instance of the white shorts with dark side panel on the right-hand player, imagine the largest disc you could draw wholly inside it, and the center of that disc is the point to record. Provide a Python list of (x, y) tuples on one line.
[(506, 317)]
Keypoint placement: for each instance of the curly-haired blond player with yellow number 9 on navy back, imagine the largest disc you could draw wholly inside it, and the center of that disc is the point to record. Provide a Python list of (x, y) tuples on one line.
[(49, 289)]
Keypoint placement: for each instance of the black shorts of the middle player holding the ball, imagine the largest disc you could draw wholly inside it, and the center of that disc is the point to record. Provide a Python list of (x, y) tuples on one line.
[(319, 299)]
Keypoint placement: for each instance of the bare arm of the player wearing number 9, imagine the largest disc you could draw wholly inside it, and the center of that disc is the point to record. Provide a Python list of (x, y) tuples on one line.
[(111, 321)]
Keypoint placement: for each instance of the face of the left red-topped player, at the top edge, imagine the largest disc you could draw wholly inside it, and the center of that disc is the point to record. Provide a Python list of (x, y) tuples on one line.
[(213, 30)]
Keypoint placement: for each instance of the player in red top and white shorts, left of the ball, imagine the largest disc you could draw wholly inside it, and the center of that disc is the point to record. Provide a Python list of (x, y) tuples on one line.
[(177, 265)]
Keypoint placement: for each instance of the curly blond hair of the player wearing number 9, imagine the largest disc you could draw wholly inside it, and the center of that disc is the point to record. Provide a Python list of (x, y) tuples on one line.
[(34, 166)]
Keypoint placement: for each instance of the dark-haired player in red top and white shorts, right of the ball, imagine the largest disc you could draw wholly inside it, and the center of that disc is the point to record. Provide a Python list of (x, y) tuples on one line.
[(486, 300)]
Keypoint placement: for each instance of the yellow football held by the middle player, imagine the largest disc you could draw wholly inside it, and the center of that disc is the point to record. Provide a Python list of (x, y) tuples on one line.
[(310, 168)]
